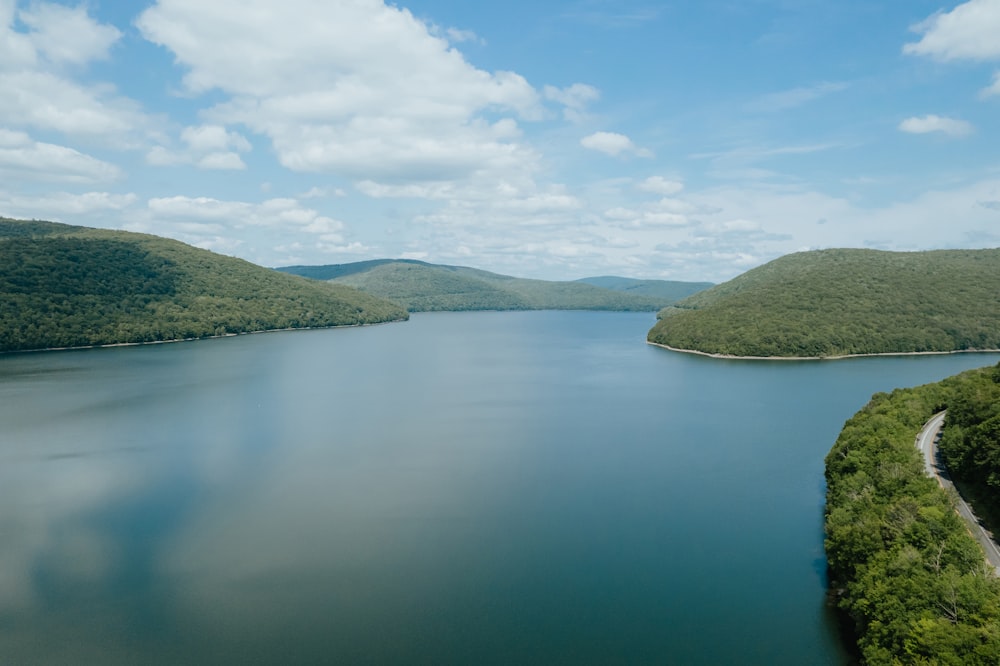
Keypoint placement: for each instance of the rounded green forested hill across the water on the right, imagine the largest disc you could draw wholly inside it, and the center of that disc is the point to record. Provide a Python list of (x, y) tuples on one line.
[(841, 302)]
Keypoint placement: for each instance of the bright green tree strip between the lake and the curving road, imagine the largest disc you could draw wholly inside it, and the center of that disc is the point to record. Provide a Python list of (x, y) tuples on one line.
[(902, 563)]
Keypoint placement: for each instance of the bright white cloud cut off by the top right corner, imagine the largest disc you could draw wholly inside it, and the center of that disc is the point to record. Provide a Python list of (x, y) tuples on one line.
[(970, 31)]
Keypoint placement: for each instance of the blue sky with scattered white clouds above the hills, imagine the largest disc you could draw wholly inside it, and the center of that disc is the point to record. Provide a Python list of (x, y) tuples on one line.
[(684, 140)]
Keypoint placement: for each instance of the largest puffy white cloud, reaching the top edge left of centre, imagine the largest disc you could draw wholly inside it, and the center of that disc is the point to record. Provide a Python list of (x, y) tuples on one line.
[(358, 89)]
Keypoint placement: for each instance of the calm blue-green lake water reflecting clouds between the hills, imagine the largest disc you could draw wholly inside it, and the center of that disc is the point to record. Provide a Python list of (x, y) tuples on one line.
[(505, 488)]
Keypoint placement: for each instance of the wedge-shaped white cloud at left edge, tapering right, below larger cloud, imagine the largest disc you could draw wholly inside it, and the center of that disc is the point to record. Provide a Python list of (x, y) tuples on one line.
[(22, 158)]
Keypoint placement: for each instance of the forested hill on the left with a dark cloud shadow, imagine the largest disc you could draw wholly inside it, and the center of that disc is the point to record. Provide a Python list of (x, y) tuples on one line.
[(68, 286)]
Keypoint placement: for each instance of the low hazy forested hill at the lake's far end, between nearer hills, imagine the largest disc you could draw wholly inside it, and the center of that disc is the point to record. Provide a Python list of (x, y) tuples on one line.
[(420, 286)]
